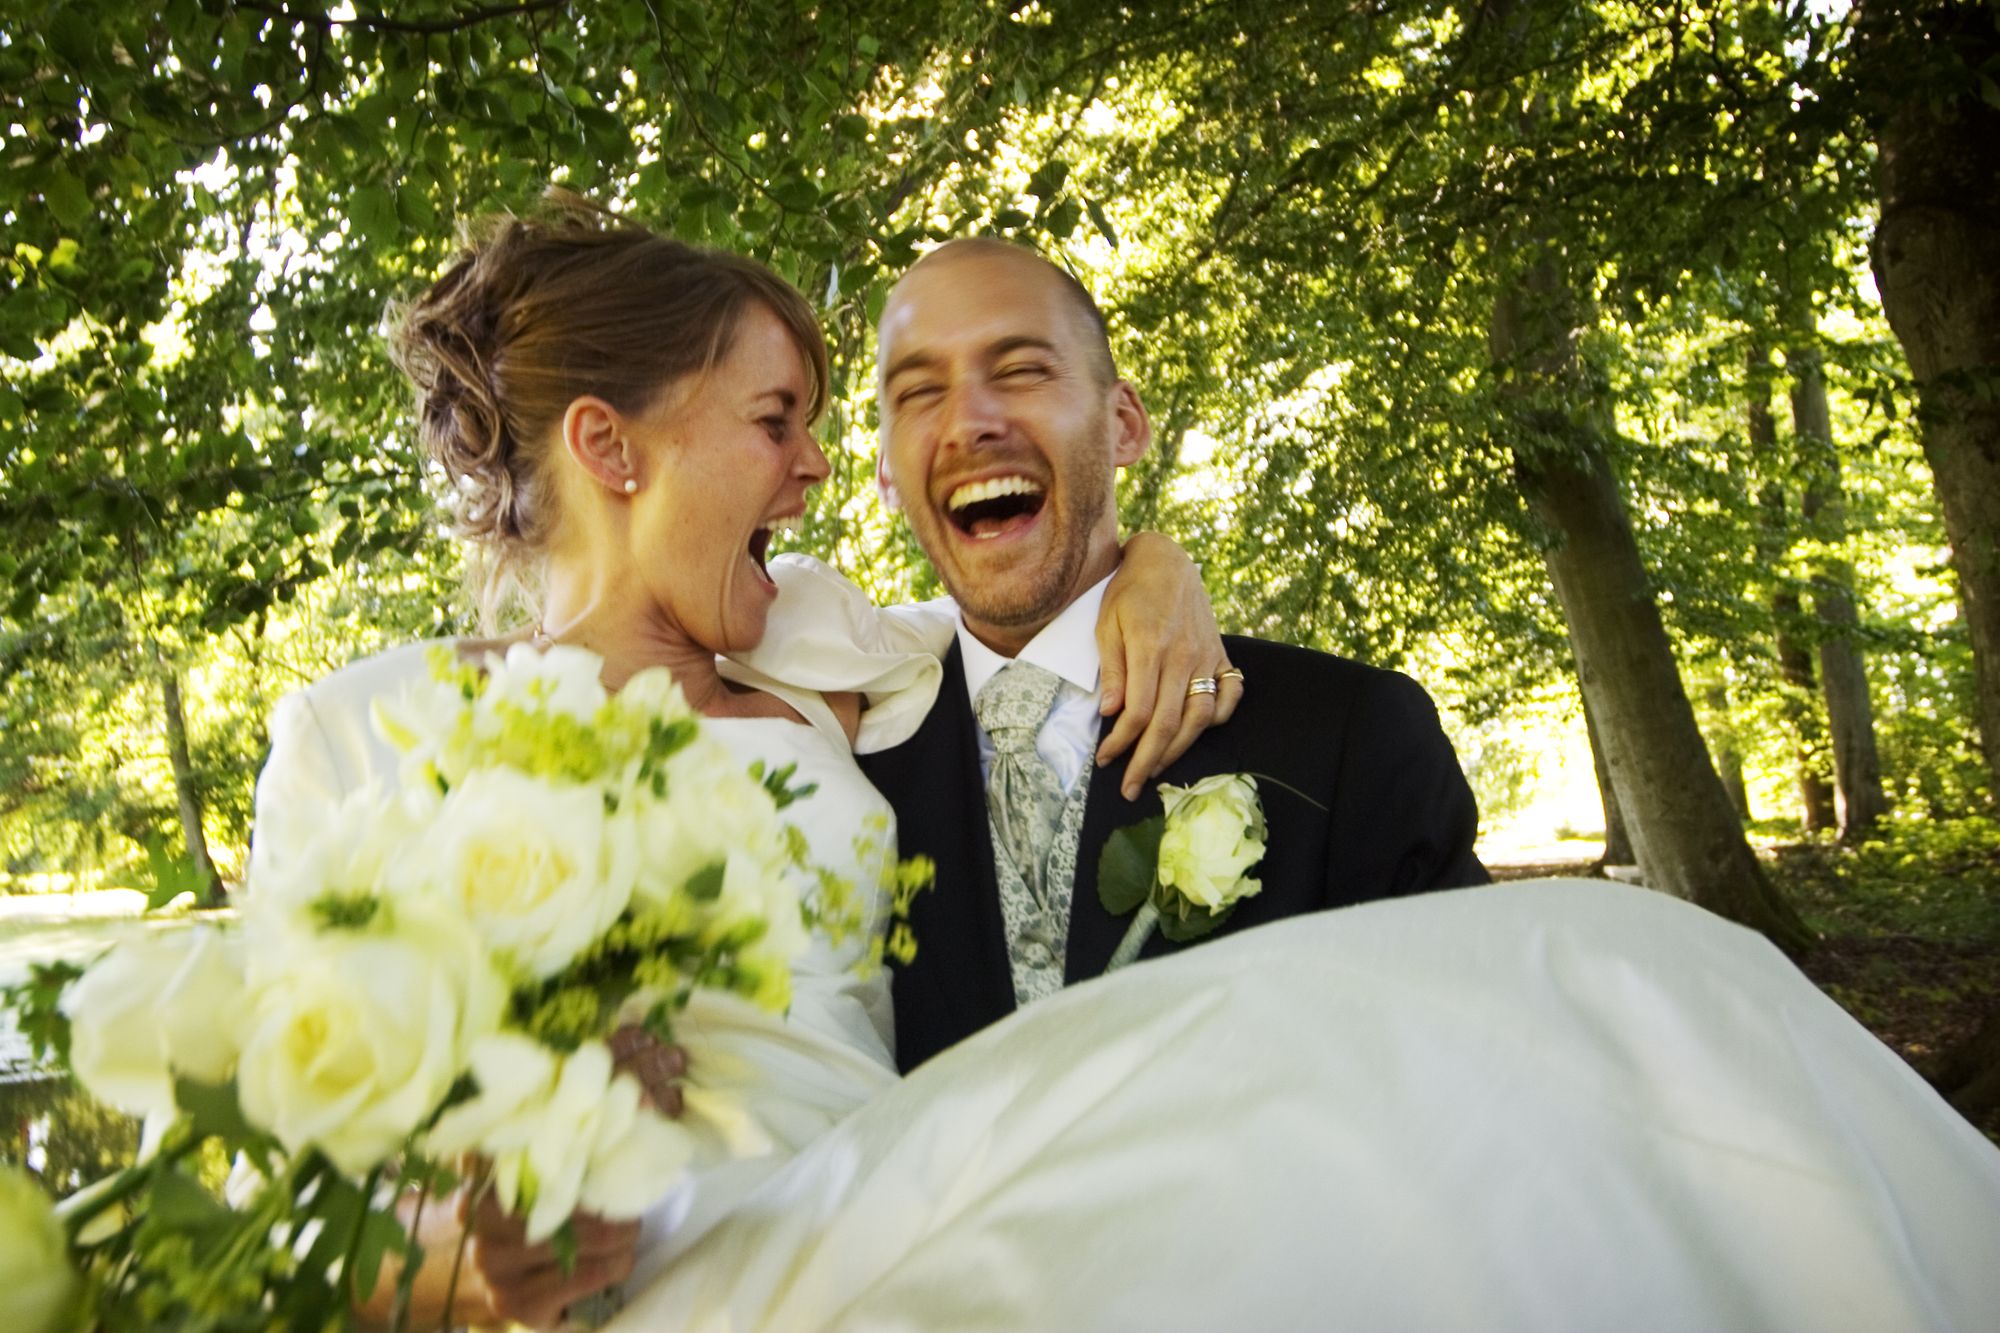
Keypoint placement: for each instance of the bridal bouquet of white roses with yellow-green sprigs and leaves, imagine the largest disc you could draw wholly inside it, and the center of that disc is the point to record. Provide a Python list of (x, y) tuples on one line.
[(423, 986)]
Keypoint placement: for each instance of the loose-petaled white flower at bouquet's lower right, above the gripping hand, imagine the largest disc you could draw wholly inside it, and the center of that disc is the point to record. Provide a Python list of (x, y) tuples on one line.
[(563, 1134)]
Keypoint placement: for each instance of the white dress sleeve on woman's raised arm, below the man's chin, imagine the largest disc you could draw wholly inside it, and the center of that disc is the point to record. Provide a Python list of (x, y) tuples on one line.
[(825, 635)]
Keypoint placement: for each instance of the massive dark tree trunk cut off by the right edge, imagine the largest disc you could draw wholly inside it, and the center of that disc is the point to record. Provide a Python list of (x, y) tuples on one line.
[(1937, 263)]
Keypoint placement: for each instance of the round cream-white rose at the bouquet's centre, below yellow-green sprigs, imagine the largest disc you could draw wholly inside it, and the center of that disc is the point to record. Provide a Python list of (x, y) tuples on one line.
[(537, 868)]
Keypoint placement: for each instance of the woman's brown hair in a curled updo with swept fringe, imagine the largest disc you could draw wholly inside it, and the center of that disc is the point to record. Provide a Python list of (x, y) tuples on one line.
[(541, 311)]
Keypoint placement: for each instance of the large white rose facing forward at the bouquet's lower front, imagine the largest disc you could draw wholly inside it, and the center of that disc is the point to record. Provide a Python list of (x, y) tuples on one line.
[(355, 1036)]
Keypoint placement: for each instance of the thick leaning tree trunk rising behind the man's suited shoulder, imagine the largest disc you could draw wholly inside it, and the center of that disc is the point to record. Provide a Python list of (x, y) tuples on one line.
[(1681, 822)]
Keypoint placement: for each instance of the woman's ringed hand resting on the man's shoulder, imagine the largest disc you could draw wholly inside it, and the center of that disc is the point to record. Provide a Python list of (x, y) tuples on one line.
[(1157, 635)]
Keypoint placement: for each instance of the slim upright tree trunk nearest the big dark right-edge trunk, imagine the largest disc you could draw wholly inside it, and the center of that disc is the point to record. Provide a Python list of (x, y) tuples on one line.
[(1843, 674)]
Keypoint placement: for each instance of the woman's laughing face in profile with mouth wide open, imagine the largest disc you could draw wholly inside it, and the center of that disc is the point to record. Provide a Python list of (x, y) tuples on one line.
[(723, 461)]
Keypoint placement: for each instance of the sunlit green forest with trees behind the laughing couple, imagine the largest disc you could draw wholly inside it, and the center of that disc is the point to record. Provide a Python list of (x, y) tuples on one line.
[(1621, 371)]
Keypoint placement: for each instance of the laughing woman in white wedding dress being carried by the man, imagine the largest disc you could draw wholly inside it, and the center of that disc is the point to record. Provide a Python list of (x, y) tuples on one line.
[(1535, 1106)]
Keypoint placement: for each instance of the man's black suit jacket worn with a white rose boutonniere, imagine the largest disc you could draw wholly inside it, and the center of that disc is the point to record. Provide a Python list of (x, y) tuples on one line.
[(1361, 742)]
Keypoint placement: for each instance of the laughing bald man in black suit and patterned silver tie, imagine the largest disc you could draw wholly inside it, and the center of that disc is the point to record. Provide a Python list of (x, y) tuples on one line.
[(1003, 427)]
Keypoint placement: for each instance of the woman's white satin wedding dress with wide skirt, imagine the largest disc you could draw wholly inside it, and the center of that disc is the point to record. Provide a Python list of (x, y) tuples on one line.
[(1543, 1106)]
